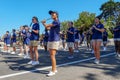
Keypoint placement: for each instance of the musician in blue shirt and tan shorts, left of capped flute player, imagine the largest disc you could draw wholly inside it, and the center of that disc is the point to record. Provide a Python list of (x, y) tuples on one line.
[(34, 40)]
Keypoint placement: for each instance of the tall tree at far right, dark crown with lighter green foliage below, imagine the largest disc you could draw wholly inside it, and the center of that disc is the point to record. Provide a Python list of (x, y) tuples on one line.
[(110, 14)]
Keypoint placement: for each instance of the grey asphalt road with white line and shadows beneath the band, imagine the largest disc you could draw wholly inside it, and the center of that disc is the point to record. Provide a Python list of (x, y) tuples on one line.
[(13, 67)]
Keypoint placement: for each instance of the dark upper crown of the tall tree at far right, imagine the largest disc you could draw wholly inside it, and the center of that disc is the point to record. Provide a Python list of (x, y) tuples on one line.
[(110, 11)]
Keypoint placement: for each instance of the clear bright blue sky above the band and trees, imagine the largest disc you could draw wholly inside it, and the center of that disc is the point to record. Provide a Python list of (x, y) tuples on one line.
[(14, 13)]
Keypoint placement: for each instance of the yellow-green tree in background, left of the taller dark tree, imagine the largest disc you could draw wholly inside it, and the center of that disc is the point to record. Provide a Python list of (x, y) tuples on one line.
[(84, 21)]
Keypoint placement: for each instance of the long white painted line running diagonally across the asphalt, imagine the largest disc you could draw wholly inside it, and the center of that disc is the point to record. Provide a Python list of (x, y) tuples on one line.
[(45, 68)]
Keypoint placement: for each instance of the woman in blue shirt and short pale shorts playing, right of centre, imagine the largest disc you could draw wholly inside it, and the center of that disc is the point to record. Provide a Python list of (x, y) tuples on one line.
[(97, 30)]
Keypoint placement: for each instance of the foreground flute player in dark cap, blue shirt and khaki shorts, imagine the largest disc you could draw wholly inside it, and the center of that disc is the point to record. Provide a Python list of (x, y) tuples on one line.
[(53, 40)]
